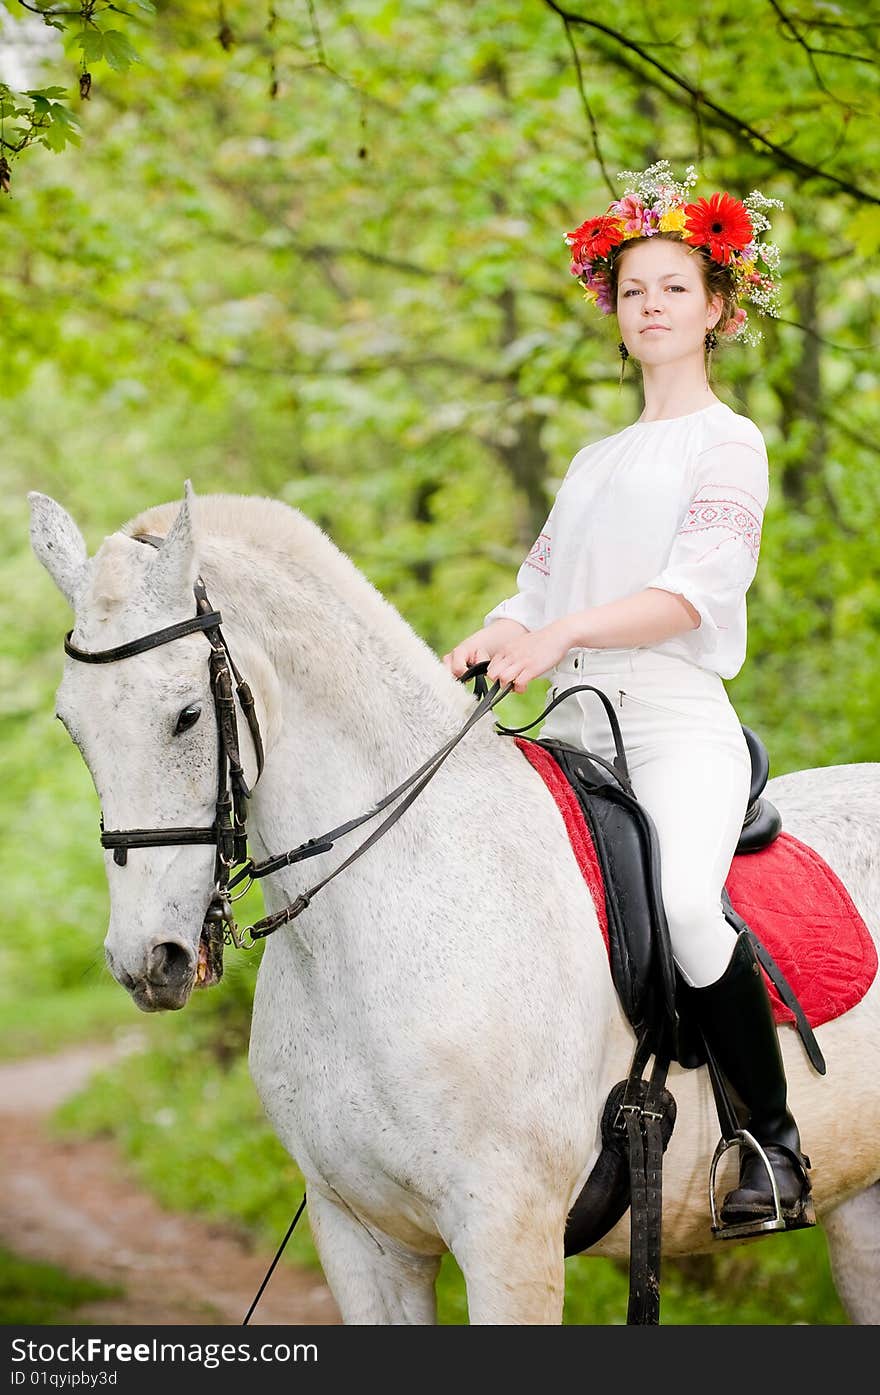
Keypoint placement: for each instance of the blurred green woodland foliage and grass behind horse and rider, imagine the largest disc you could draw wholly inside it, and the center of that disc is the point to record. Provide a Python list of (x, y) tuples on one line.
[(314, 250)]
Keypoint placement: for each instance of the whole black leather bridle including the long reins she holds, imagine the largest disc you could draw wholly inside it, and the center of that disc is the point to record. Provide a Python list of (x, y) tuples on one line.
[(229, 829)]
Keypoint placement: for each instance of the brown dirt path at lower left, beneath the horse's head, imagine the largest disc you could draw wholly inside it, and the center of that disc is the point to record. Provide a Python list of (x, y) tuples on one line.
[(76, 1205)]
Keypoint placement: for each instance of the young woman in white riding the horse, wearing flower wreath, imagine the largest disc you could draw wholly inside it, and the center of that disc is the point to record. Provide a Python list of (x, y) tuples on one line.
[(637, 585)]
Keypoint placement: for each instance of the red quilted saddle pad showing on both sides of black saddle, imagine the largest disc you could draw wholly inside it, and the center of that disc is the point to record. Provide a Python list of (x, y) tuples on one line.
[(787, 893)]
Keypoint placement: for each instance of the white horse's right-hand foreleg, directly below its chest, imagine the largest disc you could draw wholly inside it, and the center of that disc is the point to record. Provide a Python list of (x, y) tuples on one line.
[(514, 1267)]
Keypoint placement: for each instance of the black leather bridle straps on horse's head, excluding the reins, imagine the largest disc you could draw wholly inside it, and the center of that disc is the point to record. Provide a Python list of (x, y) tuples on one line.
[(229, 829)]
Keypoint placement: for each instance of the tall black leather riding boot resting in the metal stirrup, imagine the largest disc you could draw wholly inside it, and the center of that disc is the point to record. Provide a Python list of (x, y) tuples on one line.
[(736, 1018)]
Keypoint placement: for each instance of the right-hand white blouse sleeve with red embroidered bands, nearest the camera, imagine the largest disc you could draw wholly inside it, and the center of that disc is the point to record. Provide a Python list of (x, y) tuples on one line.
[(715, 555)]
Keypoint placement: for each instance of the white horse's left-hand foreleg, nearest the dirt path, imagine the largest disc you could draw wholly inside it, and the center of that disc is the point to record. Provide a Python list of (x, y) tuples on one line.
[(374, 1281)]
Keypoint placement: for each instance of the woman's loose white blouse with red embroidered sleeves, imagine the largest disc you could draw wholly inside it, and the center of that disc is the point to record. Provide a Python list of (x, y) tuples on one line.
[(676, 506)]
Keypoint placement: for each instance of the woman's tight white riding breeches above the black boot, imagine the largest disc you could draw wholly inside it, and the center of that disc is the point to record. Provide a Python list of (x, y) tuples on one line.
[(691, 771)]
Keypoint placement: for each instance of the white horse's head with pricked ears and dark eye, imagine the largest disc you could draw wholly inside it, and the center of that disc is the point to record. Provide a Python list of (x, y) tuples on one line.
[(147, 732)]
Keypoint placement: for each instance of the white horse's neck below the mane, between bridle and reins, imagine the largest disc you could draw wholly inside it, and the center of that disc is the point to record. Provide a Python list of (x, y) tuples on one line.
[(358, 701)]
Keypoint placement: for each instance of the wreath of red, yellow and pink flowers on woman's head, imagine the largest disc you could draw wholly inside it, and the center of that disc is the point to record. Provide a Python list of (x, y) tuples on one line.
[(729, 229)]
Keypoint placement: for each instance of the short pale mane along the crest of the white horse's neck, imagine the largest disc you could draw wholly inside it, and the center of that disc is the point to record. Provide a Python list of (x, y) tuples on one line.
[(278, 532)]
